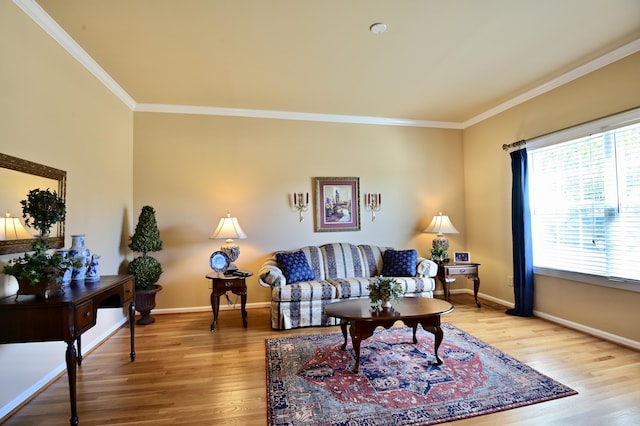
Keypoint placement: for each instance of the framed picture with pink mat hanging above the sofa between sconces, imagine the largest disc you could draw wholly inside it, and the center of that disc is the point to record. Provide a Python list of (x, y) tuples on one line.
[(337, 206)]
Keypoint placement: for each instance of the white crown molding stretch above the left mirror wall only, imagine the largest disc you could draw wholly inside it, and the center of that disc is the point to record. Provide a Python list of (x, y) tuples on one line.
[(51, 27)]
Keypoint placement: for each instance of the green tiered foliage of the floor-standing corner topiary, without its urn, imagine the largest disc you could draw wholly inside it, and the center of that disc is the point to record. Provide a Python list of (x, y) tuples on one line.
[(145, 239)]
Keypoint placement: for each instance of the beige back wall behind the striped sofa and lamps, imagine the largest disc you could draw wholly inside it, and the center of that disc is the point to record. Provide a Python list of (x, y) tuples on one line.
[(193, 169)]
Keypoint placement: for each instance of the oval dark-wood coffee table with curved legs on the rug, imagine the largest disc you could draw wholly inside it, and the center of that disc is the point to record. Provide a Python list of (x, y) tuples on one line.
[(363, 320)]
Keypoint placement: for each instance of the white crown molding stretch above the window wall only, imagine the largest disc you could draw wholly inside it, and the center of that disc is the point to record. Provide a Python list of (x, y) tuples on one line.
[(601, 62)]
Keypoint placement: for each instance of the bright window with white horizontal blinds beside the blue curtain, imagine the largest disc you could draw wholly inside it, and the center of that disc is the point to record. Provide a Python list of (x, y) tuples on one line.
[(585, 201)]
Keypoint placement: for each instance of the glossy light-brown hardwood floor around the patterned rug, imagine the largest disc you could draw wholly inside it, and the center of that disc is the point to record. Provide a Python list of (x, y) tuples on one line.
[(185, 375)]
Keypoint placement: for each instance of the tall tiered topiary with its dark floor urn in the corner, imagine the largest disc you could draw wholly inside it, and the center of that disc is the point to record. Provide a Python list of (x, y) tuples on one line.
[(145, 268)]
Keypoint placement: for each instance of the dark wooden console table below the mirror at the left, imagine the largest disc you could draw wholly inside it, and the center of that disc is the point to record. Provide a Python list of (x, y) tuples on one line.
[(65, 317)]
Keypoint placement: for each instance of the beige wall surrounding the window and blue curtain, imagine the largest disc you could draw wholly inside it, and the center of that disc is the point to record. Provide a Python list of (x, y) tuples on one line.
[(612, 89)]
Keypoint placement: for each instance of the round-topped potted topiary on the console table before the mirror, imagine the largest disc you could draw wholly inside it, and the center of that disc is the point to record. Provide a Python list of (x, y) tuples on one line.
[(40, 273)]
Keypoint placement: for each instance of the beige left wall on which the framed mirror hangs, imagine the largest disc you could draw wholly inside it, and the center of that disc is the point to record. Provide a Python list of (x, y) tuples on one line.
[(52, 111)]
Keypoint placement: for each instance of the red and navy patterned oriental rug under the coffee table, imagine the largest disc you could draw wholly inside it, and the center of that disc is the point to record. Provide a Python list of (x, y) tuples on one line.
[(309, 380)]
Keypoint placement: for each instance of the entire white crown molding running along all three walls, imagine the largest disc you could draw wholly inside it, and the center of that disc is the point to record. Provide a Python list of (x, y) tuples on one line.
[(40, 17)]
